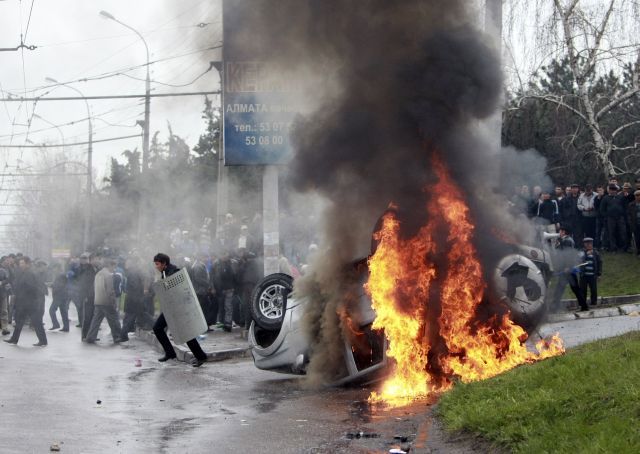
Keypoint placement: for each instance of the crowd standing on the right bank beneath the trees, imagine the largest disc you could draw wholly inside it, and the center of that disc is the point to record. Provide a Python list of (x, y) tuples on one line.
[(610, 214)]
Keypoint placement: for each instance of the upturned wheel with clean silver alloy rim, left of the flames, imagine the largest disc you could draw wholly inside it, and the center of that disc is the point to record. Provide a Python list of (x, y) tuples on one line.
[(269, 300)]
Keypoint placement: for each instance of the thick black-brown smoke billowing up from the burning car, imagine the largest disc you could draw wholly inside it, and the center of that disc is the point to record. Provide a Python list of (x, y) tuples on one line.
[(414, 78)]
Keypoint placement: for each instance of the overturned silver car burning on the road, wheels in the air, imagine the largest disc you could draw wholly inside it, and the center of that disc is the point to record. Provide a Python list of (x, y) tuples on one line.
[(279, 343)]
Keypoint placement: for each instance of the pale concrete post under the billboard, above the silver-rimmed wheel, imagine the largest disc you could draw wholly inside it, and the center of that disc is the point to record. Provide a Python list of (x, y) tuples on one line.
[(270, 220)]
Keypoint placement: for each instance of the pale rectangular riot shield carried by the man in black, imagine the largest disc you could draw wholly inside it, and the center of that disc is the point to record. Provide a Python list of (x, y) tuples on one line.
[(180, 307)]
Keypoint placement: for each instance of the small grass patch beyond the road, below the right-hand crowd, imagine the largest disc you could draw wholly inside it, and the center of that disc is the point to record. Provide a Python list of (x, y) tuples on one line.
[(621, 276)]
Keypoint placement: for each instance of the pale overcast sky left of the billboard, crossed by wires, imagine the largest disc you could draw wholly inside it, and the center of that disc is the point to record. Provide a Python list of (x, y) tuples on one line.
[(74, 42)]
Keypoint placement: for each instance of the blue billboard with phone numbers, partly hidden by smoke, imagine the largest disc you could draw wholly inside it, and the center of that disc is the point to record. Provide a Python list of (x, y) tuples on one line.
[(259, 101)]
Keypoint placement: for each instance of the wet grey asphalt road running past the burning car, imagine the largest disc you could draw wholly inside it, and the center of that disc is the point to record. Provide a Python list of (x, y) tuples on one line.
[(50, 395)]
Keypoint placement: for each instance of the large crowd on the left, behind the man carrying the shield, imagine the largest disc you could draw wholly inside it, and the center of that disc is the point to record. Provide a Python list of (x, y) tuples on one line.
[(223, 270)]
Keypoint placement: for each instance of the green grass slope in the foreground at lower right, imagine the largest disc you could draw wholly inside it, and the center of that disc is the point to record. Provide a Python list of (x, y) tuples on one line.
[(587, 401)]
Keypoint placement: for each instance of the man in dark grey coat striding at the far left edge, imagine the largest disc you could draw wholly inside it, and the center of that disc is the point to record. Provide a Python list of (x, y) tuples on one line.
[(27, 291)]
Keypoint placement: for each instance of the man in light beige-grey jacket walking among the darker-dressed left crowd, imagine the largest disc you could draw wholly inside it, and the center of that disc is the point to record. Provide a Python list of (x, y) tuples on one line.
[(105, 304)]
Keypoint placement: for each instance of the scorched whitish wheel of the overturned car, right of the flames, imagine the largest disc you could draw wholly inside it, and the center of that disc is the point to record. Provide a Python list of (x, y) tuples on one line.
[(521, 285)]
